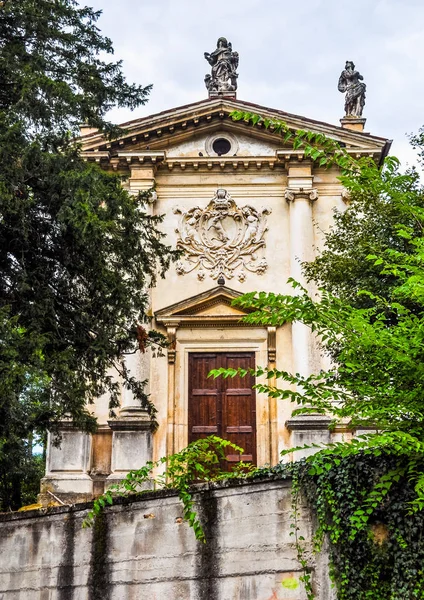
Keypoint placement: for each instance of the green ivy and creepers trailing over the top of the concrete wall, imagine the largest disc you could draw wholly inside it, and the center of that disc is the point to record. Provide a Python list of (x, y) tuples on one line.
[(363, 497)]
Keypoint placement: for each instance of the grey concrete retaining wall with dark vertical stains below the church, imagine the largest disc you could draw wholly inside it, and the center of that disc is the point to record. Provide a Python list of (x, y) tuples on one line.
[(144, 550)]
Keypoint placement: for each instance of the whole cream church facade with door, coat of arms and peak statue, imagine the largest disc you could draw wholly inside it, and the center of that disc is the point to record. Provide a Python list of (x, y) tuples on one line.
[(245, 209)]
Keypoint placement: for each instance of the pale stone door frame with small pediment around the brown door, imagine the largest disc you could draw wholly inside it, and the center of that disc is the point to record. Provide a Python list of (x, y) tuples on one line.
[(204, 323)]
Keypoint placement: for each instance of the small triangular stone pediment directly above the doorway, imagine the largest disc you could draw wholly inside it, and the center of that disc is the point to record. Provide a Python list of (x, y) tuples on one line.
[(209, 307)]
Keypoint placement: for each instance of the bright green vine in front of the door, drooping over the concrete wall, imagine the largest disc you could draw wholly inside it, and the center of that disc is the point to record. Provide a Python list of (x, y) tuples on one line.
[(201, 461)]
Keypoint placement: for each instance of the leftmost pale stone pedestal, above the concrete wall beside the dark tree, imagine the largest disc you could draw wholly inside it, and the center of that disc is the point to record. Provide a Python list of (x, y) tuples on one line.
[(67, 469)]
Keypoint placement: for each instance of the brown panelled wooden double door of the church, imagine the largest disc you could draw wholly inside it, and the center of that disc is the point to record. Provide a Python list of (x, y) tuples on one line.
[(225, 407)]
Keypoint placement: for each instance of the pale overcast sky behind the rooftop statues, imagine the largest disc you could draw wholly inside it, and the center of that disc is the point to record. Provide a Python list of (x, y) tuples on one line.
[(291, 55)]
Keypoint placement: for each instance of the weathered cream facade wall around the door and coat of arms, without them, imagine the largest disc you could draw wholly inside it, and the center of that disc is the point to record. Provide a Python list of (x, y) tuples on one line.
[(174, 152)]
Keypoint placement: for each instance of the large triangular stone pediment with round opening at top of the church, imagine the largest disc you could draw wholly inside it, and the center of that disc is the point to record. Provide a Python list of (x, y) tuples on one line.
[(165, 131)]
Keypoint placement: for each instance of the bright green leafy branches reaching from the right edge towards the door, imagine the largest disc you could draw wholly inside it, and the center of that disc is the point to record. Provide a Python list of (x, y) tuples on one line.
[(377, 354)]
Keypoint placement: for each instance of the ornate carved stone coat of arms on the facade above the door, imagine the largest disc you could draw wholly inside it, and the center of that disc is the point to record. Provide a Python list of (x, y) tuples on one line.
[(222, 238)]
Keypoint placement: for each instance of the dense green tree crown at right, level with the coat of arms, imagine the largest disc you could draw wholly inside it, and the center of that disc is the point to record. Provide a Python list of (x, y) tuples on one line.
[(384, 216)]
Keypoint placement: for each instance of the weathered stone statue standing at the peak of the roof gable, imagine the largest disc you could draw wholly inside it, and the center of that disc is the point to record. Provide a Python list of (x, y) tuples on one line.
[(224, 62)]
